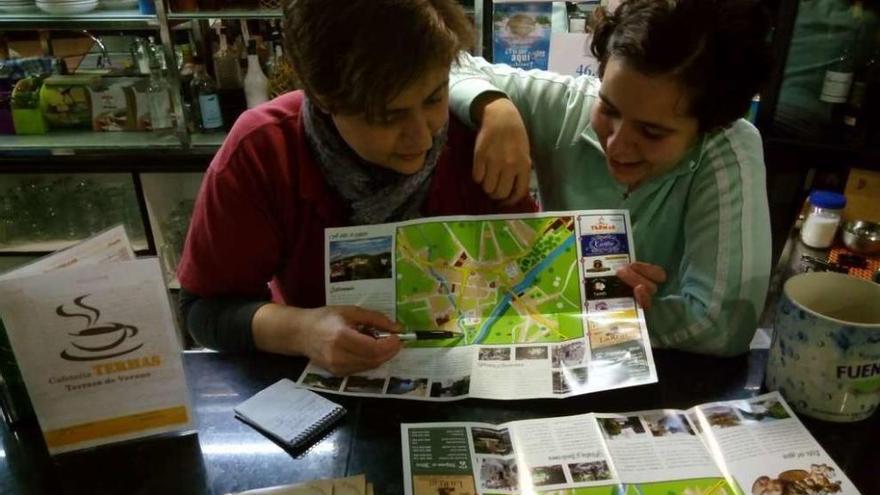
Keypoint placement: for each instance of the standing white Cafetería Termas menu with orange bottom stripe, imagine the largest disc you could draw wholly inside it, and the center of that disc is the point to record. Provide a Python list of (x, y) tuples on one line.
[(93, 335)]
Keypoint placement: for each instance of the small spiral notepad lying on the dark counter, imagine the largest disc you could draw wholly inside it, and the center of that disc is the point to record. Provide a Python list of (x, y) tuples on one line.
[(293, 416)]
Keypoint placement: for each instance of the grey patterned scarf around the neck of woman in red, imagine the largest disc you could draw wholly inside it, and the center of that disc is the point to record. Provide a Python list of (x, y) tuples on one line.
[(374, 193)]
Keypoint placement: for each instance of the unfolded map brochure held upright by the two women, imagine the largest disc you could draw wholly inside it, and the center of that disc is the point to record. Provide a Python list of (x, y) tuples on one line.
[(532, 299)]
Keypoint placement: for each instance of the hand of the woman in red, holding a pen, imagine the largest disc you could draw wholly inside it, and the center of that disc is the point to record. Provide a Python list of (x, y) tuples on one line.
[(327, 335)]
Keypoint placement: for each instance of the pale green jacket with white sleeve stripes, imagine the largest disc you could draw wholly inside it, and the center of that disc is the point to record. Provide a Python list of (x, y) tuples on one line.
[(706, 221)]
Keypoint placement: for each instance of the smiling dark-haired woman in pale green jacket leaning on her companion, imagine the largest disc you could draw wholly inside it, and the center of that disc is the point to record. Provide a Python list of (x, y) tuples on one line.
[(659, 133)]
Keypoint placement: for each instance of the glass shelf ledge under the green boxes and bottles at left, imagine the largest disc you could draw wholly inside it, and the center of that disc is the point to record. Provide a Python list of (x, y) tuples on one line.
[(90, 141)]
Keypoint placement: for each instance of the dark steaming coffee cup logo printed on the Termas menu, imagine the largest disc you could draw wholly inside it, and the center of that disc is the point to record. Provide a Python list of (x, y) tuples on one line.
[(96, 341)]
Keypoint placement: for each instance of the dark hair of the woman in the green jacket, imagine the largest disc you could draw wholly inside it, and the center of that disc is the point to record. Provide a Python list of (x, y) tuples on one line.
[(718, 49)]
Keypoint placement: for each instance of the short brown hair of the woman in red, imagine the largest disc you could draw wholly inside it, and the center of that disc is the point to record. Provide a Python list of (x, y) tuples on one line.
[(354, 56)]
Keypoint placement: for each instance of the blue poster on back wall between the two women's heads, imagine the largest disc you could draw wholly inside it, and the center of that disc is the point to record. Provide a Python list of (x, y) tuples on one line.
[(521, 34)]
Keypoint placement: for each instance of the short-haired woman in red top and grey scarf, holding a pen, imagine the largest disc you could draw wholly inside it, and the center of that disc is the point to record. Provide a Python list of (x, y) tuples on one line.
[(369, 140)]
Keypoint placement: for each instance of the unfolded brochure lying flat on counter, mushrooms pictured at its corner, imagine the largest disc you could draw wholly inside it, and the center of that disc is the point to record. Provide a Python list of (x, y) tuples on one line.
[(755, 446)]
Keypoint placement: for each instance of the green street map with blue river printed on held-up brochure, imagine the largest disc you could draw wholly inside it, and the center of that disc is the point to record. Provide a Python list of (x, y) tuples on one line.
[(509, 281)]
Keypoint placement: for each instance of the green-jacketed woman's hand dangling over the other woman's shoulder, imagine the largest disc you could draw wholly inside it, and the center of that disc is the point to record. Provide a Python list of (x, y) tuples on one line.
[(502, 164)]
